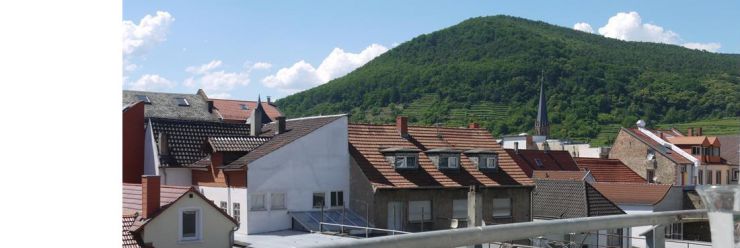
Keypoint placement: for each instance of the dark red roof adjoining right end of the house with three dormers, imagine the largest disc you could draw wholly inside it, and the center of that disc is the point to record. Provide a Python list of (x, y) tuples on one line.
[(550, 160)]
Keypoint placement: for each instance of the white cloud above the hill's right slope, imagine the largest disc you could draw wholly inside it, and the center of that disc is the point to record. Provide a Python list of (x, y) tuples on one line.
[(629, 27)]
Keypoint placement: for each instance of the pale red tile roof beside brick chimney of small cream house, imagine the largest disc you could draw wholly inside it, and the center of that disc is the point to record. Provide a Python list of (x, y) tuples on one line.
[(132, 195)]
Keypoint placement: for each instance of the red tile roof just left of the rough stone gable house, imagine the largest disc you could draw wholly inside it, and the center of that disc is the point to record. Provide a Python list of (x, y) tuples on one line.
[(609, 170)]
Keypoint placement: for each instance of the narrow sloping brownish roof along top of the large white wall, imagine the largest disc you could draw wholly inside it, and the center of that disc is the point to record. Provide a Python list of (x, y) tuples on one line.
[(294, 129)]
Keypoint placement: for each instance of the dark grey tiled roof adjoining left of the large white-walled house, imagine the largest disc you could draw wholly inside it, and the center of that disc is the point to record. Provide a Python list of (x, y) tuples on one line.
[(187, 137)]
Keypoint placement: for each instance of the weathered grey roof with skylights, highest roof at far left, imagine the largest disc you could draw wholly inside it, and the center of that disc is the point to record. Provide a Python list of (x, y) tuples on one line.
[(164, 105)]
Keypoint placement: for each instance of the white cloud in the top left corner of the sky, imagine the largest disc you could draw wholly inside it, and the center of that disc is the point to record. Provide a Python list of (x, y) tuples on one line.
[(150, 31)]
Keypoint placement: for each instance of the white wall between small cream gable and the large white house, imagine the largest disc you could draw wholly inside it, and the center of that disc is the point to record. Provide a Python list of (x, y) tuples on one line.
[(230, 196)]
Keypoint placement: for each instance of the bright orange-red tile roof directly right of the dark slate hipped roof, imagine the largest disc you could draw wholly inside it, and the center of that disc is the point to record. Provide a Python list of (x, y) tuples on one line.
[(626, 193)]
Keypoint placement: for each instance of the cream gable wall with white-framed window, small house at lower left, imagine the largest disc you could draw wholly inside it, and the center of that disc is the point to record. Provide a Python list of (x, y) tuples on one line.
[(163, 231)]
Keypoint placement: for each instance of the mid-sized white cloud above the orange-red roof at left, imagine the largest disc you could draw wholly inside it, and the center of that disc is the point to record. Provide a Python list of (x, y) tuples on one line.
[(205, 77)]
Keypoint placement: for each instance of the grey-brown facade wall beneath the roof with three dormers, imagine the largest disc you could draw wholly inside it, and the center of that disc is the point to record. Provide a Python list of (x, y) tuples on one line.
[(441, 202)]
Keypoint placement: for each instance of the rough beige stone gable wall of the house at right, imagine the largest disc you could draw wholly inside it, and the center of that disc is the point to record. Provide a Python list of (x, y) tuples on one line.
[(633, 153)]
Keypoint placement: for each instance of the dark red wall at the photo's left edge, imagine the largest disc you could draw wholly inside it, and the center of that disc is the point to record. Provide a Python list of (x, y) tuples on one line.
[(133, 143)]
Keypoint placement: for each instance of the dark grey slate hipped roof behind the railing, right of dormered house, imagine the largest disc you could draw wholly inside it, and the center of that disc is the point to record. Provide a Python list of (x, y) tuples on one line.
[(562, 199)]
